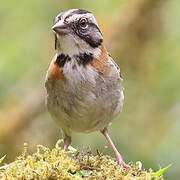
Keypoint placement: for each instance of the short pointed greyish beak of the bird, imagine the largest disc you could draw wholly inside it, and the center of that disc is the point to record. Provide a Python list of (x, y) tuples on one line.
[(61, 28)]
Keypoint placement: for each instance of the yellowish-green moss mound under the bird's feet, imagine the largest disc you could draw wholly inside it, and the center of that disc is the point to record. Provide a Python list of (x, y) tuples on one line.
[(55, 164)]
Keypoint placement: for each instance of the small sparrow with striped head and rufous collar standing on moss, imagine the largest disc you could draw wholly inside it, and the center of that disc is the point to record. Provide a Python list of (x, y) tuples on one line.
[(84, 89)]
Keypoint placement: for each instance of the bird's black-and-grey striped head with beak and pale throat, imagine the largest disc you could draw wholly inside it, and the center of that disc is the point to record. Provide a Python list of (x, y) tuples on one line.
[(76, 30)]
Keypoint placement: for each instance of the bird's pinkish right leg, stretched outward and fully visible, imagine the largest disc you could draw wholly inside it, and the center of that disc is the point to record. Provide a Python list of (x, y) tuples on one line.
[(117, 154)]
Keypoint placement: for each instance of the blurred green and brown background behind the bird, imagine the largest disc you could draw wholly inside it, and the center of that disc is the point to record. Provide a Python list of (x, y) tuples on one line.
[(143, 37)]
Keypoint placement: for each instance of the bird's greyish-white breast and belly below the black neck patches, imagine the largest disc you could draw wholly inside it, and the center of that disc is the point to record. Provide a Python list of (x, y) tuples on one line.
[(80, 98)]
